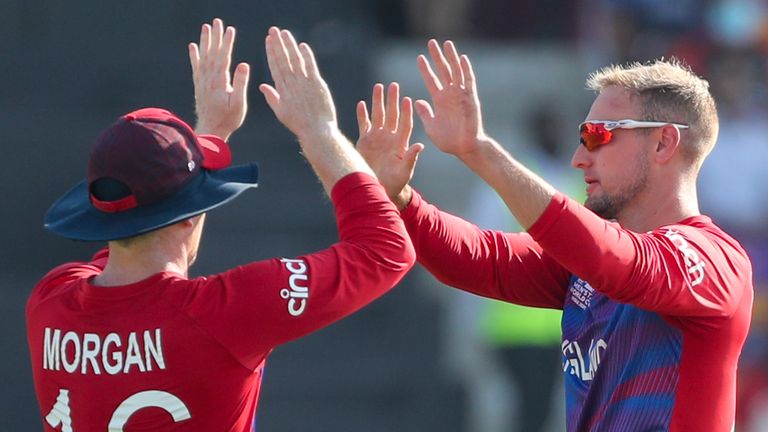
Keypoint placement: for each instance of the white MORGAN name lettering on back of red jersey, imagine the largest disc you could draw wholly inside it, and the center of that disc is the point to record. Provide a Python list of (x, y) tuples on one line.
[(76, 353)]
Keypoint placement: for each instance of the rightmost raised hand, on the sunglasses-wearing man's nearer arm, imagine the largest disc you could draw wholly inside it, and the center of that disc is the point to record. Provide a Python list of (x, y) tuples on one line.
[(455, 124)]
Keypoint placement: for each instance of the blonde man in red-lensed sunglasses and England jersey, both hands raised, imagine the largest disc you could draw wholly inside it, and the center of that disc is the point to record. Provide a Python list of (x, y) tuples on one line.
[(656, 299)]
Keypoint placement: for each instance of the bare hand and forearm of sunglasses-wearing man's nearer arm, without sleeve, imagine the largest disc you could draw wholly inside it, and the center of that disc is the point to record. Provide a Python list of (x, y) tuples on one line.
[(455, 127)]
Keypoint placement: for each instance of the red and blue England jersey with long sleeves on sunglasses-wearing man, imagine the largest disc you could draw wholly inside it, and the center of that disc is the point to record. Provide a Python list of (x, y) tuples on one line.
[(653, 323)]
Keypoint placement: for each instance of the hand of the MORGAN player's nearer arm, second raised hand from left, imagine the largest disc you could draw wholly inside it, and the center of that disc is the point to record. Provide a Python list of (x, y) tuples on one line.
[(300, 97)]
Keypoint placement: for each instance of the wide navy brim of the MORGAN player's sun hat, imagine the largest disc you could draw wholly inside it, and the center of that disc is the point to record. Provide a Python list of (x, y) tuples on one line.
[(72, 216)]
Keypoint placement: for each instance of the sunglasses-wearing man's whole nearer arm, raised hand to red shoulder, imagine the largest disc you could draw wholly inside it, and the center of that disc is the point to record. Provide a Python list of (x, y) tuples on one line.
[(676, 270)]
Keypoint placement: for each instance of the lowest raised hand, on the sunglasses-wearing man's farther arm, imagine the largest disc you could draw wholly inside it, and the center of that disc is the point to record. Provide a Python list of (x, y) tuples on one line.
[(384, 137)]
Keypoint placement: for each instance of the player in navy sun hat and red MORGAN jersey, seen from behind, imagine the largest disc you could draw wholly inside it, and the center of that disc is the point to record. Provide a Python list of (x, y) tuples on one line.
[(127, 341)]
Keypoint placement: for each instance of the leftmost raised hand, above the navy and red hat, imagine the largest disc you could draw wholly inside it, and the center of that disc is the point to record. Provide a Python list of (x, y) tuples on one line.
[(220, 103)]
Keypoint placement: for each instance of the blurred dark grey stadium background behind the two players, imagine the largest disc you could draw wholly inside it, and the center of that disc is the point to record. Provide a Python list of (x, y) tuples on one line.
[(415, 360)]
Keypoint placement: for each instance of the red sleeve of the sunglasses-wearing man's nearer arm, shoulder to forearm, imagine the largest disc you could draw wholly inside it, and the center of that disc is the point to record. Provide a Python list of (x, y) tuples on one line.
[(678, 270)]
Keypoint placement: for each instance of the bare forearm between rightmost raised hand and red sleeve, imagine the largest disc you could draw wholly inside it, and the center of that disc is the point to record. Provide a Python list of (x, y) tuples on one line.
[(525, 193)]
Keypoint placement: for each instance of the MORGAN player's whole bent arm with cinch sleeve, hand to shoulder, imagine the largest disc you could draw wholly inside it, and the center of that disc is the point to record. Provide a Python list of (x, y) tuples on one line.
[(287, 298)]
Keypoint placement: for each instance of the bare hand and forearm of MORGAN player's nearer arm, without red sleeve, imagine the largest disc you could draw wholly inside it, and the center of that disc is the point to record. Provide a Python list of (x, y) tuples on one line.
[(302, 102)]
